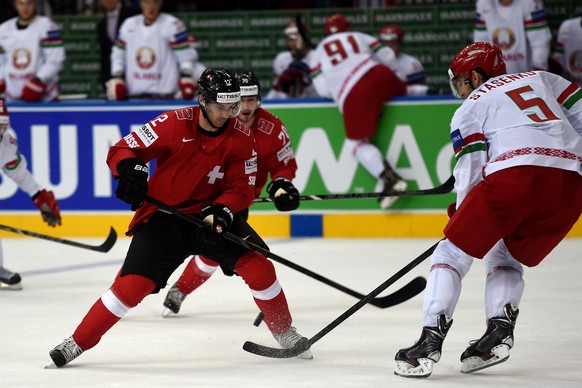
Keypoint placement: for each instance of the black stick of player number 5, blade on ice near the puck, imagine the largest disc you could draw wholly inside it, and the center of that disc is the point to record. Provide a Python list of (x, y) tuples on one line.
[(305, 344)]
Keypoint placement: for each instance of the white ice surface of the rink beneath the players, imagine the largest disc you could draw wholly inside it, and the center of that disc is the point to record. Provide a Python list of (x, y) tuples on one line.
[(202, 346)]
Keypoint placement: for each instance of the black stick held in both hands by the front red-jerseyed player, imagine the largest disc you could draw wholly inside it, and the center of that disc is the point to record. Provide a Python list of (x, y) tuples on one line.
[(413, 288)]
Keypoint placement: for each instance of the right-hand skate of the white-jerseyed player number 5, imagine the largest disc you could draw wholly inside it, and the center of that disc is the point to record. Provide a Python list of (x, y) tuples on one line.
[(493, 347)]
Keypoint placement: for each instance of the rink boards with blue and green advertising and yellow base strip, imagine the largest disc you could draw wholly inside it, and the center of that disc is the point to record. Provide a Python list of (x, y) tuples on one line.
[(66, 145)]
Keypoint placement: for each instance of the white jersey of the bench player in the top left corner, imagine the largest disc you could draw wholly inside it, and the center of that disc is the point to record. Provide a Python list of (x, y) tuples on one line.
[(35, 51)]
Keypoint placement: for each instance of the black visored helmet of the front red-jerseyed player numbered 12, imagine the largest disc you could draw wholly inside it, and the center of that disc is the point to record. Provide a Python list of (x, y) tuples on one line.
[(221, 86)]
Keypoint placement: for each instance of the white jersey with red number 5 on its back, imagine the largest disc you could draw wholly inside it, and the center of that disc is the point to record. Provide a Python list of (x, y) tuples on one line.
[(532, 118)]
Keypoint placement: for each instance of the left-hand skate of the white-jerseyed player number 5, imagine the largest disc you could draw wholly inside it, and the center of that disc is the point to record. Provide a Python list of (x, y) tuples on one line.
[(418, 360)]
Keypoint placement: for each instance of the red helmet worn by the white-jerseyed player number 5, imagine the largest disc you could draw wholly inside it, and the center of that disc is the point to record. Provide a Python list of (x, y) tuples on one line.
[(479, 55)]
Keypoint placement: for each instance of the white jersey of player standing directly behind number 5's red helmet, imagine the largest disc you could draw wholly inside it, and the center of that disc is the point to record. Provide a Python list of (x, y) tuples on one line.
[(520, 30)]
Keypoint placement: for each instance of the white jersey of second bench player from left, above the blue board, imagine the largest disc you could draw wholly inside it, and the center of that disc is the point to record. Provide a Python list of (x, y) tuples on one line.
[(151, 57)]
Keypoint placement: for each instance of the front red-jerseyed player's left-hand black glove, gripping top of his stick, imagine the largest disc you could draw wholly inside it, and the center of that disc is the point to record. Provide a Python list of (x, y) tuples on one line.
[(133, 182)]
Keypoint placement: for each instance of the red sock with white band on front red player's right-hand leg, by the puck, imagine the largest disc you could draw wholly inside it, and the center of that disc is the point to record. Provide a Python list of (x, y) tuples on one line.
[(259, 274)]
